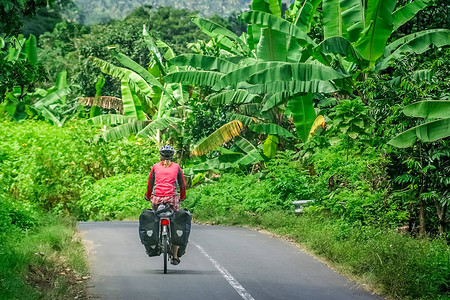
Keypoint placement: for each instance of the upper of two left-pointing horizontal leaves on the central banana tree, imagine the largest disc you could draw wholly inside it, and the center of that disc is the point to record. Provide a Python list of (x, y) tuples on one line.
[(208, 63)]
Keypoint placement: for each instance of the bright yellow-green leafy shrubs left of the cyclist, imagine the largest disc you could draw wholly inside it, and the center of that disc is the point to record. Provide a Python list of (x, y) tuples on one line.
[(49, 166)]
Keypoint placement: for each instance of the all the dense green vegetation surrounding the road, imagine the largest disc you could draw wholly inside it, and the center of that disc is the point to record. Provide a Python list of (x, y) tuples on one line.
[(345, 103)]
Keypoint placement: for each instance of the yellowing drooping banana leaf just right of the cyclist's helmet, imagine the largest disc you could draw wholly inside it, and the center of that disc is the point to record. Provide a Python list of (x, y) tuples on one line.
[(218, 137)]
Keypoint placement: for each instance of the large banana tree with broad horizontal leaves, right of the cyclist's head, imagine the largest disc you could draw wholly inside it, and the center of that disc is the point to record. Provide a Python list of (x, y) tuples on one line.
[(272, 71)]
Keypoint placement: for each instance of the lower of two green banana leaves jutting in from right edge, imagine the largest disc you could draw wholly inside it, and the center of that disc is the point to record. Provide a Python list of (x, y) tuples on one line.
[(428, 132)]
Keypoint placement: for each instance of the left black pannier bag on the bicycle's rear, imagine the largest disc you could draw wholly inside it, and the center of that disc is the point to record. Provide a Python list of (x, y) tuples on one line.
[(149, 231)]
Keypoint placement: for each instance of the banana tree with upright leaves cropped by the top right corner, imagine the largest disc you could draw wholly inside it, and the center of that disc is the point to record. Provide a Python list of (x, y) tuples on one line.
[(359, 33)]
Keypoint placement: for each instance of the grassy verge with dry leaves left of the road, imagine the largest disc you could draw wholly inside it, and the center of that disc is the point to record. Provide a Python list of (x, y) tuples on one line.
[(42, 262)]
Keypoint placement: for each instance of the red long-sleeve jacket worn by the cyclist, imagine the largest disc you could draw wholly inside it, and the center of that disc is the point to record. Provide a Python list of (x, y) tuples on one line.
[(163, 181)]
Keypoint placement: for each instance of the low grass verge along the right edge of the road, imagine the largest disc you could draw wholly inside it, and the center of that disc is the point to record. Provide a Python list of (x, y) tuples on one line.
[(390, 263)]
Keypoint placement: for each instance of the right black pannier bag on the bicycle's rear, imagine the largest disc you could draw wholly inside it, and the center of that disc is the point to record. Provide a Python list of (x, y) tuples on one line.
[(181, 228)]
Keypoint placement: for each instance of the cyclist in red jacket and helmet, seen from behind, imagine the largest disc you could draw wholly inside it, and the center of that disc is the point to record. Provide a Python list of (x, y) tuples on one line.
[(164, 178)]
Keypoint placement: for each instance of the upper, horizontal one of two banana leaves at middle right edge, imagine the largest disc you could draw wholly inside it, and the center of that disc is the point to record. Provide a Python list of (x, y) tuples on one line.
[(429, 109)]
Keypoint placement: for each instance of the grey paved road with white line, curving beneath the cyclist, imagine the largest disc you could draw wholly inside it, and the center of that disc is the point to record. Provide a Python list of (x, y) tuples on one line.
[(220, 263)]
